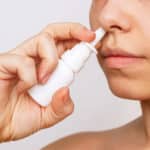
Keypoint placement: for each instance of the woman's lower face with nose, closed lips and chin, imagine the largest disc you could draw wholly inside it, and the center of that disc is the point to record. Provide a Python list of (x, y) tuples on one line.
[(124, 54)]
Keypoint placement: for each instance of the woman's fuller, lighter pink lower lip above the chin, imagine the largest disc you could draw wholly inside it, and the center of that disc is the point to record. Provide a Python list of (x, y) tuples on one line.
[(121, 61)]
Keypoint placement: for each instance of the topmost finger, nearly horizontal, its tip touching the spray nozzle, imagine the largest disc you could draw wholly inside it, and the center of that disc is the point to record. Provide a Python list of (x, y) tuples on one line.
[(64, 31)]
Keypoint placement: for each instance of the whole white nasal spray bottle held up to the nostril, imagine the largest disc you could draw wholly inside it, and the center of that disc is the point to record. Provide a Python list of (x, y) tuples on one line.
[(70, 63)]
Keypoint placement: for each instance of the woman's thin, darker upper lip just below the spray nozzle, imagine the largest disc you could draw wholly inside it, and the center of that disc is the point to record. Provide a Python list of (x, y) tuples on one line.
[(117, 52)]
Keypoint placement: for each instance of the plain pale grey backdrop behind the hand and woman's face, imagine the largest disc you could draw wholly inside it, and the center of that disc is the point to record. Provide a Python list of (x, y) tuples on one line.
[(95, 107)]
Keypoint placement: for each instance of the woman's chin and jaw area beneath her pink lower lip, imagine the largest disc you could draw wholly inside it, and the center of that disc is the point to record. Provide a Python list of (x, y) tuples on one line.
[(131, 83)]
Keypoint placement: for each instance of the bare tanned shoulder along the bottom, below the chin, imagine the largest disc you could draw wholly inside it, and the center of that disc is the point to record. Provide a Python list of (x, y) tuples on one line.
[(100, 140)]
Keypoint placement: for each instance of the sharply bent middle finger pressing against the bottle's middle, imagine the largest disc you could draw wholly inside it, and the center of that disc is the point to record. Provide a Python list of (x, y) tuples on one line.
[(42, 48)]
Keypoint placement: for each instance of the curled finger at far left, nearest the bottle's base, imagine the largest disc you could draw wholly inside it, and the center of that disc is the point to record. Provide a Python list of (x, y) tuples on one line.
[(23, 67)]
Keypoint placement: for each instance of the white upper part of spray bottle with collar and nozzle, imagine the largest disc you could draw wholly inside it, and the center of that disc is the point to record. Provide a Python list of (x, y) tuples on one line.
[(78, 55)]
